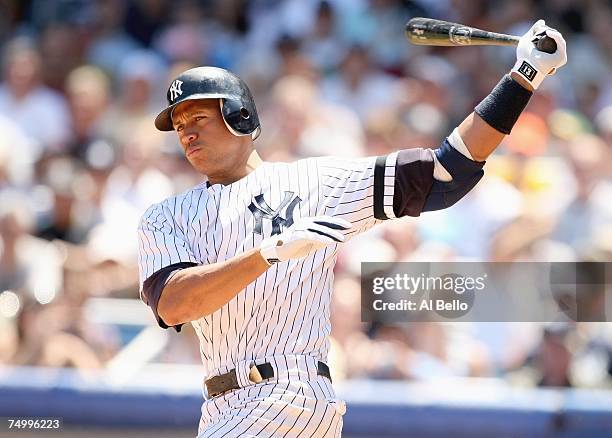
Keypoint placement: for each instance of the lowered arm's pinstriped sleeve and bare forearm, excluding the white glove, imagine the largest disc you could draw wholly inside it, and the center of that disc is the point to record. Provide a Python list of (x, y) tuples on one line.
[(174, 283)]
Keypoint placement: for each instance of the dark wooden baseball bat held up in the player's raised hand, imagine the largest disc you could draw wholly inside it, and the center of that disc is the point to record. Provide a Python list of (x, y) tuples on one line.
[(432, 32)]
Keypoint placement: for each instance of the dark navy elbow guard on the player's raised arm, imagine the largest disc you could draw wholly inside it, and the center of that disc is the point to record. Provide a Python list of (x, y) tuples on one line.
[(465, 173)]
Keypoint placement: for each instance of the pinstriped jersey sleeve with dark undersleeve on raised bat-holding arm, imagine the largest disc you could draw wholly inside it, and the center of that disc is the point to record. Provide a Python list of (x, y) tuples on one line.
[(371, 190)]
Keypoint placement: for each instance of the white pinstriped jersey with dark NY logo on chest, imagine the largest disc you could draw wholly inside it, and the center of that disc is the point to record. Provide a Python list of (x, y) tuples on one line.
[(286, 311)]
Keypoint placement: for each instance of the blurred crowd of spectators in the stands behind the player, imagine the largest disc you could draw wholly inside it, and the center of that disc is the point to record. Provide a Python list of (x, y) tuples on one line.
[(80, 161)]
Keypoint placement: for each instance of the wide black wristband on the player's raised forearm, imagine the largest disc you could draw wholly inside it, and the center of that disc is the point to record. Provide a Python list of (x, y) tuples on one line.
[(503, 106)]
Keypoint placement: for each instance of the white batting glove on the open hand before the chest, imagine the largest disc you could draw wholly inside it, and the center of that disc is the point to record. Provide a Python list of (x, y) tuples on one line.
[(306, 235)]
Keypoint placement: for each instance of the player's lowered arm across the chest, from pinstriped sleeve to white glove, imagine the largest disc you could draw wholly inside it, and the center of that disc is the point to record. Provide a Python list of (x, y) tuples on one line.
[(179, 289)]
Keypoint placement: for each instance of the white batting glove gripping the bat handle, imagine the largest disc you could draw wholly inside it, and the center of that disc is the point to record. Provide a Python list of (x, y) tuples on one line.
[(534, 65)]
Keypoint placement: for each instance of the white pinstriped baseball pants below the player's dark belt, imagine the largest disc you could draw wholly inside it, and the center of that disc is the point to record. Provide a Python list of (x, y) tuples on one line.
[(283, 408)]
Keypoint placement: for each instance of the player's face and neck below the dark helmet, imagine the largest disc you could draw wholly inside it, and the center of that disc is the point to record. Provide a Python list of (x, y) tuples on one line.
[(208, 145)]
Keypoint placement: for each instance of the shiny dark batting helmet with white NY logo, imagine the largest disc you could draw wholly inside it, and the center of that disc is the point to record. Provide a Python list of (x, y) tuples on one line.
[(237, 104)]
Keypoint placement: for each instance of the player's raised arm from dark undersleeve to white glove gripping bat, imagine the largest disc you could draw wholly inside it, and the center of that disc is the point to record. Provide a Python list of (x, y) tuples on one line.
[(457, 165)]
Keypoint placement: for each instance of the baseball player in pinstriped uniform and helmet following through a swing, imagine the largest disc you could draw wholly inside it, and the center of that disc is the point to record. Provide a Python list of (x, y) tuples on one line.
[(247, 256)]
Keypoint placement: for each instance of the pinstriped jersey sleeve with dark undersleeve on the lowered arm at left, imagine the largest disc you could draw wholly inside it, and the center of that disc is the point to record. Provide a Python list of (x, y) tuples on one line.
[(162, 250)]
